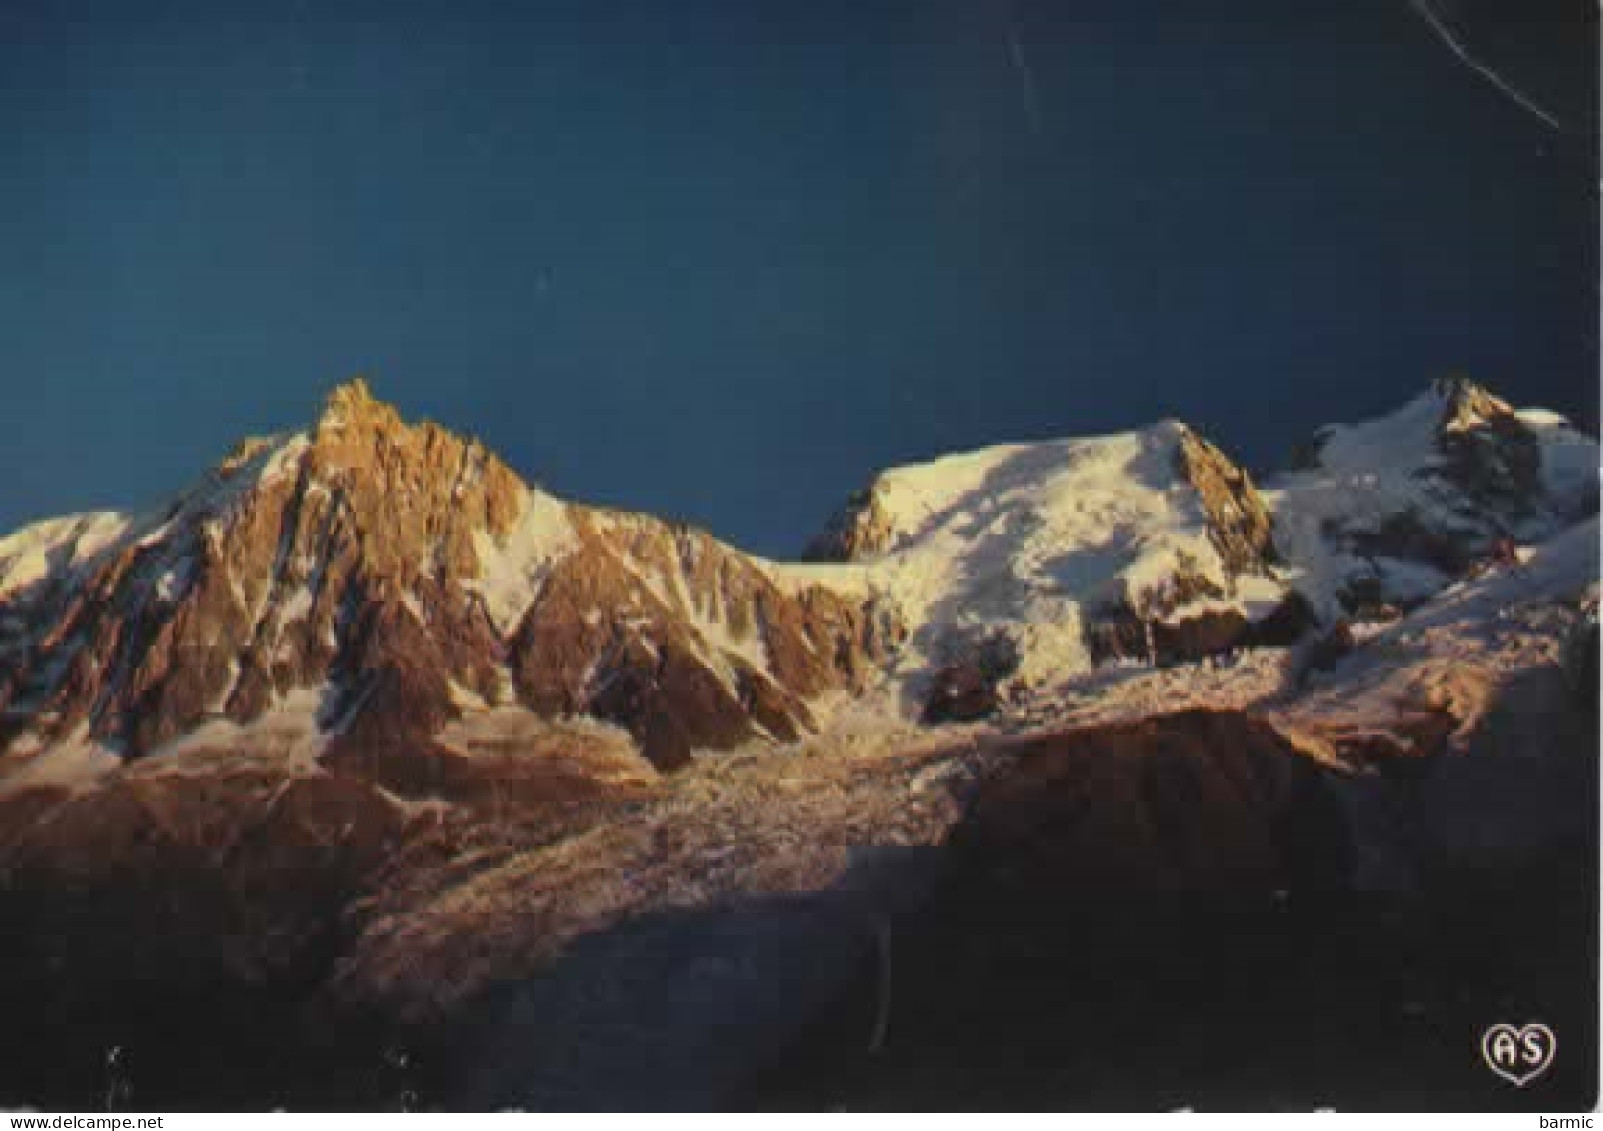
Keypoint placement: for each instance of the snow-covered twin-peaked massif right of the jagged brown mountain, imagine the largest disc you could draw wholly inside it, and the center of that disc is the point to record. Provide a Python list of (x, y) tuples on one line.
[(1153, 544)]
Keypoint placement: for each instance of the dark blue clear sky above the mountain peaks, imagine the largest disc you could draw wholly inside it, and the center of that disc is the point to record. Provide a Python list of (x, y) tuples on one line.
[(725, 260)]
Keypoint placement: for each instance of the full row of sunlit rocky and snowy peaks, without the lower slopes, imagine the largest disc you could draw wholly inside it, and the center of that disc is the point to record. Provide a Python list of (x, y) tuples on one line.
[(389, 581)]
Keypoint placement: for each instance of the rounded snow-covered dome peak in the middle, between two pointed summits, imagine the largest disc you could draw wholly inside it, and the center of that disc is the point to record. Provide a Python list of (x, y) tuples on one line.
[(1059, 553)]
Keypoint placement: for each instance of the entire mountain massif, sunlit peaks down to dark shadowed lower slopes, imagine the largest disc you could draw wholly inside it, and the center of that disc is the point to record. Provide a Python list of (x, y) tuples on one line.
[(366, 747)]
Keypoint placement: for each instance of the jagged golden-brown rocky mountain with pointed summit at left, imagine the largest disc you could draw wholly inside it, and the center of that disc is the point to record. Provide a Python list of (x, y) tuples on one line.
[(403, 571)]
